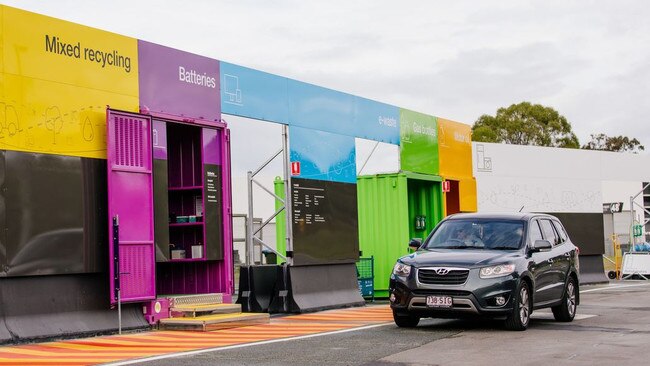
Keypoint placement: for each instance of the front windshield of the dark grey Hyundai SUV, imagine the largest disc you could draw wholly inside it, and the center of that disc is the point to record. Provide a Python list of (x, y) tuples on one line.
[(476, 234)]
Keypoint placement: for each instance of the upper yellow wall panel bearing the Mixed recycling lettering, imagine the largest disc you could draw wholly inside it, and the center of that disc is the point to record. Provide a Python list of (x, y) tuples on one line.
[(51, 49)]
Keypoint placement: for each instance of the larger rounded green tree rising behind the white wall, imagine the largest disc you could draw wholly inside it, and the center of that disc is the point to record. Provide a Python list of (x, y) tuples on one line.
[(525, 124)]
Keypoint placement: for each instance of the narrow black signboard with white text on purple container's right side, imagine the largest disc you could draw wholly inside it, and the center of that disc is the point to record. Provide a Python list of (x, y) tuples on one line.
[(212, 216)]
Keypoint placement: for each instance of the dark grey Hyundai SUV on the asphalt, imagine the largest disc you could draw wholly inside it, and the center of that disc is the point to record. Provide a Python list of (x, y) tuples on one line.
[(493, 265)]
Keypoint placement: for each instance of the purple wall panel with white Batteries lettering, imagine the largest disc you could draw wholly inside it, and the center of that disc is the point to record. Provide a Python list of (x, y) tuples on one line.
[(177, 83)]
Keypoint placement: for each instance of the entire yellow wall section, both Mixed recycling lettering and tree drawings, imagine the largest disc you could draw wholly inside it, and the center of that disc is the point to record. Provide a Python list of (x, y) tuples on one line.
[(57, 79)]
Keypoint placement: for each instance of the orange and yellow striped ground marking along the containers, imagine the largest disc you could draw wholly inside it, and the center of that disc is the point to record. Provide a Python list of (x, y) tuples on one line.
[(121, 347)]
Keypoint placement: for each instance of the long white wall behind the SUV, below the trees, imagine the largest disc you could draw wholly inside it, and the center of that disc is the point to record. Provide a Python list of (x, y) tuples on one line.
[(553, 179)]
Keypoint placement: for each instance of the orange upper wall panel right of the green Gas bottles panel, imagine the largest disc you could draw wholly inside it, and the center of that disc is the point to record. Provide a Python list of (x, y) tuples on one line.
[(455, 148)]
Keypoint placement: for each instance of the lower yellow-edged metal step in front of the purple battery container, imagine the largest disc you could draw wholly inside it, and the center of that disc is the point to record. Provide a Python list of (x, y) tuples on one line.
[(215, 321)]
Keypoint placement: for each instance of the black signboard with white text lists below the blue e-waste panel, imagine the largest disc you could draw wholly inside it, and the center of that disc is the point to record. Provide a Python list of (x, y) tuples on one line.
[(325, 223)]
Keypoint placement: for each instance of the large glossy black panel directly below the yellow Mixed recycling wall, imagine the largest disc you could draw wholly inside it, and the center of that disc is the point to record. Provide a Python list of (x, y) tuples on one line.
[(52, 214)]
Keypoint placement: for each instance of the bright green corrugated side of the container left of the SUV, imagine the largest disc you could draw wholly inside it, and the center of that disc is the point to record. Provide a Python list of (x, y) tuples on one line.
[(383, 223)]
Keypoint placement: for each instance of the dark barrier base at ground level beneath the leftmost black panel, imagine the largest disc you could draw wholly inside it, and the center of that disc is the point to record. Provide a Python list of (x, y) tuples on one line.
[(43, 307)]
